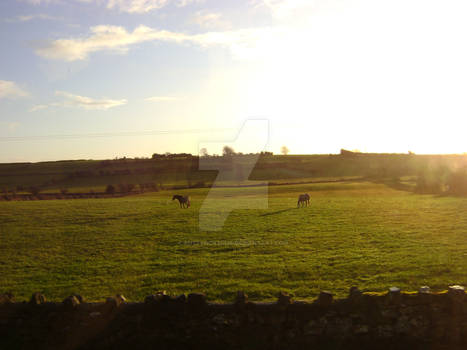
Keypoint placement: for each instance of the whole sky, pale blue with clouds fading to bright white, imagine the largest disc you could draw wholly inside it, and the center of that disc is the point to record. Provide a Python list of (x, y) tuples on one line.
[(98, 79)]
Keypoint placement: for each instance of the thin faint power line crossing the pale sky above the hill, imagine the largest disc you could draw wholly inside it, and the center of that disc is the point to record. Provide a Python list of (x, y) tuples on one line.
[(111, 134)]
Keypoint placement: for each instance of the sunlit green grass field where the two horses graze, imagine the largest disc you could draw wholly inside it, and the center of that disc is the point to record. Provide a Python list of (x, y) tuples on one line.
[(356, 233)]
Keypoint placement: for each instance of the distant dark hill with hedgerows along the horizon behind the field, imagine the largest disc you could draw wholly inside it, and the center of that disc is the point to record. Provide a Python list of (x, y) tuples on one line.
[(183, 170)]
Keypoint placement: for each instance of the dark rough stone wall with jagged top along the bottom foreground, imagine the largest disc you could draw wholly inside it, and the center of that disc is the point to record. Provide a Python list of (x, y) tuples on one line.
[(392, 320)]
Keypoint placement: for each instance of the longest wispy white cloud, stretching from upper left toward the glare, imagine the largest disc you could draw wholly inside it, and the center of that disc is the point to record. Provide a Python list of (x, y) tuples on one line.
[(243, 43)]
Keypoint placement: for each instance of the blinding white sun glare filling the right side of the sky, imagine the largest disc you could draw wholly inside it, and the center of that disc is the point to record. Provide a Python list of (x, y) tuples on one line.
[(357, 79)]
